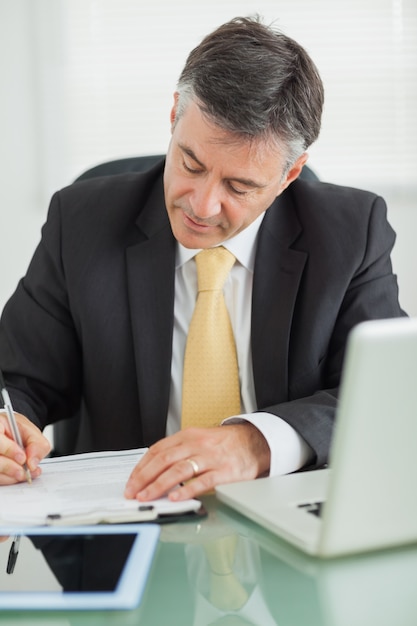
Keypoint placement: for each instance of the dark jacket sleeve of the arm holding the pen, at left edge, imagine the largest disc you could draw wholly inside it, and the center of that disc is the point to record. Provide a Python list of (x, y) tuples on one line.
[(39, 348)]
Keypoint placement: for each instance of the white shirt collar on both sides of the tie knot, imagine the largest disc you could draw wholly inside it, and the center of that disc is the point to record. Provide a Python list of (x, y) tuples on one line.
[(242, 246)]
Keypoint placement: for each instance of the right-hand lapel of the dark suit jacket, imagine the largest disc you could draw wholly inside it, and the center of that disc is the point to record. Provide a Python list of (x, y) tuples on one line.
[(277, 274)]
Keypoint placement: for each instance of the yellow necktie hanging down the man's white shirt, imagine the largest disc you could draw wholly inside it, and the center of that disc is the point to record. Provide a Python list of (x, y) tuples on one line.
[(211, 390)]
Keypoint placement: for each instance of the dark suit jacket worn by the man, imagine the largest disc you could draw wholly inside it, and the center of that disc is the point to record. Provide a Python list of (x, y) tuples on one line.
[(90, 325)]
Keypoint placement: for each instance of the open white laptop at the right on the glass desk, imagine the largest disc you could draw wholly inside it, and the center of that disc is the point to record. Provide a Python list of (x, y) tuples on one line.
[(367, 498)]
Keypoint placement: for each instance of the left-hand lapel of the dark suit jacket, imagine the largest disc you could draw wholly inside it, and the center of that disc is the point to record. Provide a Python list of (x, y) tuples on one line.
[(151, 273)]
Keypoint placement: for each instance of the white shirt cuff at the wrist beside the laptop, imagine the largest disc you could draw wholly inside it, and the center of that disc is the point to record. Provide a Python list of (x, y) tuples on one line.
[(289, 451)]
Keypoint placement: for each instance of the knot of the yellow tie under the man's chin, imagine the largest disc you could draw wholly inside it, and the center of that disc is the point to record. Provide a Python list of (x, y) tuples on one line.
[(213, 266)]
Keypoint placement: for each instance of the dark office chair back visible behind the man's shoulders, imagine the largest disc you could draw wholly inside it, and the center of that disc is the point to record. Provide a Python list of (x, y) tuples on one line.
[(65, 432)]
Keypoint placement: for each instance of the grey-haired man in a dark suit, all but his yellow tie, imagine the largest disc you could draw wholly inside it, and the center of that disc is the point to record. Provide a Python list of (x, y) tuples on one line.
[(99, 324)]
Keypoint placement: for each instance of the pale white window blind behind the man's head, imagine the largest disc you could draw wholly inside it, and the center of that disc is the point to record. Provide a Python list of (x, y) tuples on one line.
[(110, 75)]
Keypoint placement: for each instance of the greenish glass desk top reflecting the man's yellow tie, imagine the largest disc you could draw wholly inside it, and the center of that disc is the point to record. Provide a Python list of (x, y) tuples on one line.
[(226, 570)]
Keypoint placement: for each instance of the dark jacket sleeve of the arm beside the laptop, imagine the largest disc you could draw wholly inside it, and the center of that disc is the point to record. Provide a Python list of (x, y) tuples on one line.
[(368, 290)]
